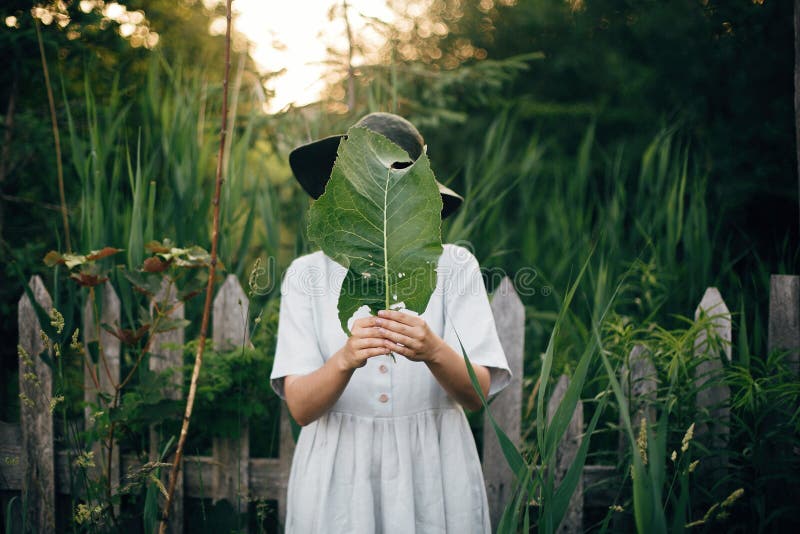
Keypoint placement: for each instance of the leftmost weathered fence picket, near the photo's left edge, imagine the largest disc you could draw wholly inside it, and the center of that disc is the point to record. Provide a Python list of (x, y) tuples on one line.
[(36, 418)]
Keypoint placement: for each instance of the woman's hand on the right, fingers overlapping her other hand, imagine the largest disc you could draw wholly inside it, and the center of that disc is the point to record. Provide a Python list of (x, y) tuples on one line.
[(408, 335)]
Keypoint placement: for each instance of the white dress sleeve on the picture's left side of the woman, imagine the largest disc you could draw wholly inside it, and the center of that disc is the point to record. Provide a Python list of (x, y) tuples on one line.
[(297, 351)]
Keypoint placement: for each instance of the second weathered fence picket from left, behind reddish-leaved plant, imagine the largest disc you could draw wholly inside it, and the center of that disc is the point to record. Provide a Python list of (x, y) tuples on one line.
[(105, 370)]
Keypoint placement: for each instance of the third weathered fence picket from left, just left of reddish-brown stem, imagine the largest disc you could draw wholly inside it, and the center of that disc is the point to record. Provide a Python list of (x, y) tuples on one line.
[(166, 353)]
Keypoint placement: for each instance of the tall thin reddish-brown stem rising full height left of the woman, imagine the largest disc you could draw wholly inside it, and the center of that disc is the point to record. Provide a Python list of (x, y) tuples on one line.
[(198, 362)]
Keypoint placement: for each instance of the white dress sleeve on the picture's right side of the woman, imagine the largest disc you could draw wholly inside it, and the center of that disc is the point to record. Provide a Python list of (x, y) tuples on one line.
[(467, 312)]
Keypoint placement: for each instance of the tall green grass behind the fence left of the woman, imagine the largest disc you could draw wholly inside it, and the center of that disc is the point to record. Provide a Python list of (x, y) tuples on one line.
[(152, 152)]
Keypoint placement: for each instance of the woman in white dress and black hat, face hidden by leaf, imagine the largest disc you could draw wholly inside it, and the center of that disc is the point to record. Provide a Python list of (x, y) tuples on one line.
[(385, 445)]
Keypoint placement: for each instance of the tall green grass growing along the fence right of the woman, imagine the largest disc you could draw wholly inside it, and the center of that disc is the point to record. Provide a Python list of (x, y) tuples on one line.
[(658, 247)]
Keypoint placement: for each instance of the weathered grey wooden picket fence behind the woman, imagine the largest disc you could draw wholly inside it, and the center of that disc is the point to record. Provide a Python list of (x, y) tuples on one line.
[(31, 463)]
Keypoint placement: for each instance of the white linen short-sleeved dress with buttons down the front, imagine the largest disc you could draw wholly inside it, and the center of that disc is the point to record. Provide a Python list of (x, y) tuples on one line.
[(395, 453)]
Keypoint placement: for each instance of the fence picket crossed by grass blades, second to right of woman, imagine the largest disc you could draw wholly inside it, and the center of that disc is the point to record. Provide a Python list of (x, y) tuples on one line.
[(565, 455)]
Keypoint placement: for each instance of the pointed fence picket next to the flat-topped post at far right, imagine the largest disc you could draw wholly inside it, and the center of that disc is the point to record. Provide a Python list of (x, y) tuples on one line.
[(713, 398)]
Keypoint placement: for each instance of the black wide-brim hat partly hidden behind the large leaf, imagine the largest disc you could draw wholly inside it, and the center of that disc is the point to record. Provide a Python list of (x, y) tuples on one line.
[(312, 163)]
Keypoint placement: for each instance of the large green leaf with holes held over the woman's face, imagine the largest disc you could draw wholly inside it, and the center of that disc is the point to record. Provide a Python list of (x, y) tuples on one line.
[(380, 218)]
